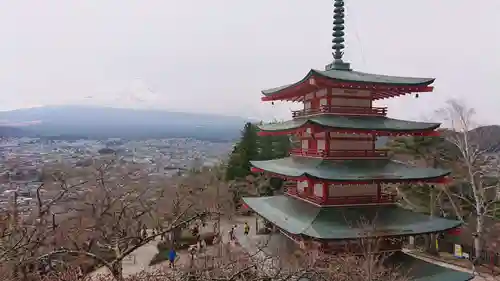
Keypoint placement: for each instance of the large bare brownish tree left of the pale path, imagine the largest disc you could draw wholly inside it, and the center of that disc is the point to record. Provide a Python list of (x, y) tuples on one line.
[(107, 219)]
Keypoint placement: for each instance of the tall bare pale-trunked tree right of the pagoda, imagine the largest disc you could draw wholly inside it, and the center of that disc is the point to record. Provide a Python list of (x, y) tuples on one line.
[(478, 170)]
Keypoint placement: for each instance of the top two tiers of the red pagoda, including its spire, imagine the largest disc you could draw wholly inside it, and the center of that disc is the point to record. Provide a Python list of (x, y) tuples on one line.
[(338, 120)]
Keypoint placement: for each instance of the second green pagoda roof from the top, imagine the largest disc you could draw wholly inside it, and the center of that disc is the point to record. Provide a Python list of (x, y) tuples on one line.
[(361, 123)]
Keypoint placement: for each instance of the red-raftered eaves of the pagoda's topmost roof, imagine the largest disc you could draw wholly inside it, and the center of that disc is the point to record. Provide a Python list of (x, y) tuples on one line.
[(314, 81)]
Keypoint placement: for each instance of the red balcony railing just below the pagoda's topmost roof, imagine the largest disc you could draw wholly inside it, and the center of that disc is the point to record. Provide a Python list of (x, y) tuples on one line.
[(341, 110)]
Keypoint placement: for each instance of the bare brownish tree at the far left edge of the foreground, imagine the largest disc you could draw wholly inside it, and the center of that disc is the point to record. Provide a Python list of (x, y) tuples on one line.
[(28, 231)]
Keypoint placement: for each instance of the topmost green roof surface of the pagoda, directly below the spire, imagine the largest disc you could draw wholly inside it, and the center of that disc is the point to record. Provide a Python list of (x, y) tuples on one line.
[(356, 77)]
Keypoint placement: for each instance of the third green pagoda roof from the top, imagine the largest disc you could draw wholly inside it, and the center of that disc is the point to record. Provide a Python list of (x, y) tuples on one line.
[(348, 170)]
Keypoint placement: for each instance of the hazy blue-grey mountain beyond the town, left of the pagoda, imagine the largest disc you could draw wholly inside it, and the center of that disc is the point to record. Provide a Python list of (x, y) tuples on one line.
[(102, 122)]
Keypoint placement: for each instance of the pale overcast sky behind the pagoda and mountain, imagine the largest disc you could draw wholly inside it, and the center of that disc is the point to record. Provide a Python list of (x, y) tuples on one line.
[(216, 55)]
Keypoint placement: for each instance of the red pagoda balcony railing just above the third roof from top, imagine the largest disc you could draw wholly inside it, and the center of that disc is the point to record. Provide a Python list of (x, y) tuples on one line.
[(340, 154)]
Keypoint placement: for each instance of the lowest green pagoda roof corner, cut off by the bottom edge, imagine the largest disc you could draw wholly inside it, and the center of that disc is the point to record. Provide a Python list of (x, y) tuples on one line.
[(416, 269)]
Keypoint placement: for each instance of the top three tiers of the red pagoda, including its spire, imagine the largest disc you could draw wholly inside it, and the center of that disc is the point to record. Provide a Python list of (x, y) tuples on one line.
[(335, 159)]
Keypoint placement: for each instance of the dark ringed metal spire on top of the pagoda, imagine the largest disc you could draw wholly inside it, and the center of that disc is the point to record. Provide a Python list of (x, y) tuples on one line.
[(338, 38)]
